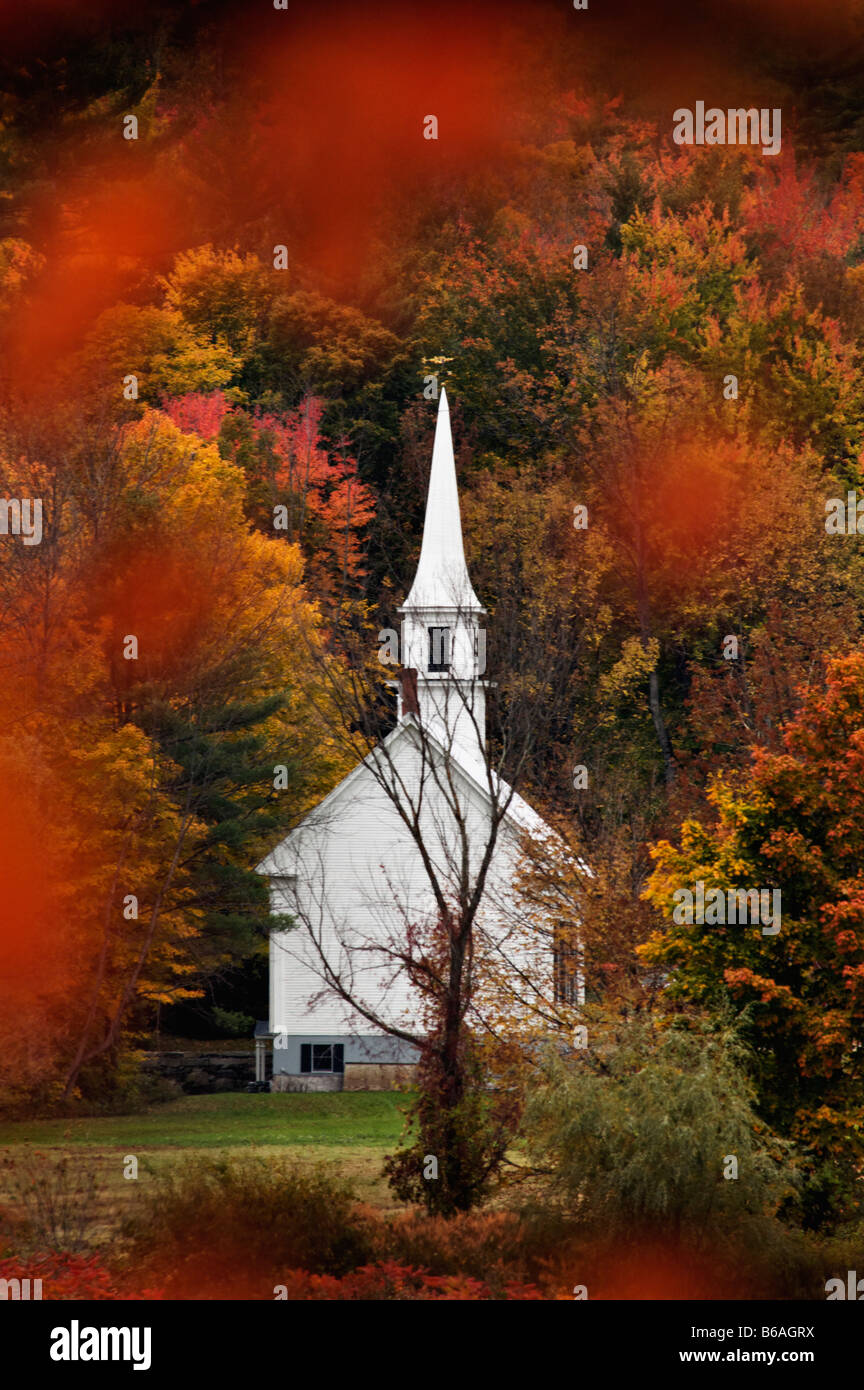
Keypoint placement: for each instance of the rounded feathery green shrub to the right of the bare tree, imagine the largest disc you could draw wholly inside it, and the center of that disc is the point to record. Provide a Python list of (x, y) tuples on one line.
[(637, 1135)]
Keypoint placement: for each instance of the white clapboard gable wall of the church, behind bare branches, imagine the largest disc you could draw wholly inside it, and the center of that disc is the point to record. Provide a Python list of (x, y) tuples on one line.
[(355, 878)]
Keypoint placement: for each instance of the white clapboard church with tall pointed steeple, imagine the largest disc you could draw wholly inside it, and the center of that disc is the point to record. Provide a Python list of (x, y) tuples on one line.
[(363, 878)]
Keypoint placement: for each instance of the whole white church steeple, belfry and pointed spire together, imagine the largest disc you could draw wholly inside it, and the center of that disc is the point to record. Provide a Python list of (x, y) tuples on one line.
[(441, 639)]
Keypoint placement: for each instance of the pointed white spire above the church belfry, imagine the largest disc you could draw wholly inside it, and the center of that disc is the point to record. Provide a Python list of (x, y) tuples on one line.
[(442, 576)]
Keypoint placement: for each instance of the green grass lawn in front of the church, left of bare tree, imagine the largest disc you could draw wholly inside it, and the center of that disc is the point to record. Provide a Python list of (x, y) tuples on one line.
[(347, 1131)]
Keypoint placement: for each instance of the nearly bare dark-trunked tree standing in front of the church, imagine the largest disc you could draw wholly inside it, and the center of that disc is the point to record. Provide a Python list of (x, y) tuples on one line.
[(448, 908)]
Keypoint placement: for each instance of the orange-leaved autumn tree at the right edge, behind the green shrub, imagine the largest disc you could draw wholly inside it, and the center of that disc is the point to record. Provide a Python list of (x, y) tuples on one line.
[(794, 825)]
